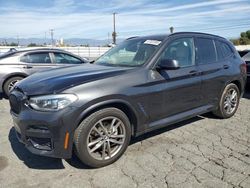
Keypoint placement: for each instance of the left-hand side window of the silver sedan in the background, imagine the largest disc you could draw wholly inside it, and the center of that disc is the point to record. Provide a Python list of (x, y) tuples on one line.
[(36, 58)]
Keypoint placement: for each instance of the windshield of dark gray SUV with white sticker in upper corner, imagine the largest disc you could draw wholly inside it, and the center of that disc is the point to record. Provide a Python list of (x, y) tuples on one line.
[(132, 53)]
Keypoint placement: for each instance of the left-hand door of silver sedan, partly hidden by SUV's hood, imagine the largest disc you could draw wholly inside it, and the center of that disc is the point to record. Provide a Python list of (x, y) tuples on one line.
[(34, 62)]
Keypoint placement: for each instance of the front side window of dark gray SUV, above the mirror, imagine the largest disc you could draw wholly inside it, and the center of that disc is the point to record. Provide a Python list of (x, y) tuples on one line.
[(181, 50)]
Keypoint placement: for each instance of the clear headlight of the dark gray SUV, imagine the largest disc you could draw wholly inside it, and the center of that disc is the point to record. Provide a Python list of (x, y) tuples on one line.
[(52, 102)]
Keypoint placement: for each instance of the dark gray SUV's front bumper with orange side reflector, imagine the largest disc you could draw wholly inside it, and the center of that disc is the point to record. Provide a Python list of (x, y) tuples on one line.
[(46, 133)]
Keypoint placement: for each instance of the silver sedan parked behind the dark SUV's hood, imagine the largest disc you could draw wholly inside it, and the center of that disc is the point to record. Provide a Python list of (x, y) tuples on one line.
[(16, 65)]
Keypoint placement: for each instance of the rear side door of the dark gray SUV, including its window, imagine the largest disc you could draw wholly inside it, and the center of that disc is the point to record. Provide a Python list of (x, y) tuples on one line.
[(213, 68)]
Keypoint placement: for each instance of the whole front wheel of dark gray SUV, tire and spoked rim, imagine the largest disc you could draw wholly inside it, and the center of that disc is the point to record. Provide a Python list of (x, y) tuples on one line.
[(94, 134)]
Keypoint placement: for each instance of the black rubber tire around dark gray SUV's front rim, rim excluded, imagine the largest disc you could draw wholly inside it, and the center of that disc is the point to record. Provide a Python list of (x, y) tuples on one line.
[(88, 123)]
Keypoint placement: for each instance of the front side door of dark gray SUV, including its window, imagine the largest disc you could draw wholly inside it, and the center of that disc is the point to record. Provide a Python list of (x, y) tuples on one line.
[(178, 90)]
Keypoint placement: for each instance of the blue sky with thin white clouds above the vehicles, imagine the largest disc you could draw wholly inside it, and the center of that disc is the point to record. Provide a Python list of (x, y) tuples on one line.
[(93, 18)]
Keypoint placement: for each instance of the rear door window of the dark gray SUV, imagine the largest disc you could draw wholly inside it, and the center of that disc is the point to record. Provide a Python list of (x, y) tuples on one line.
[(205, 51)]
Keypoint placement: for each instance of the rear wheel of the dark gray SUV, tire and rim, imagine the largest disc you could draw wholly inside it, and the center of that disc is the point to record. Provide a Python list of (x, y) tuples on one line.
[(223, 110)]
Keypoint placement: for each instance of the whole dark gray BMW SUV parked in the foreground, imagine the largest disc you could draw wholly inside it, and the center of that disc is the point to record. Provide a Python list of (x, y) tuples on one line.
[(140, 85)]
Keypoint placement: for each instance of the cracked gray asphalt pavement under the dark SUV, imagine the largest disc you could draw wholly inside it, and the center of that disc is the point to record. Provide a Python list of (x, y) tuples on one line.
[(201, 152)]
